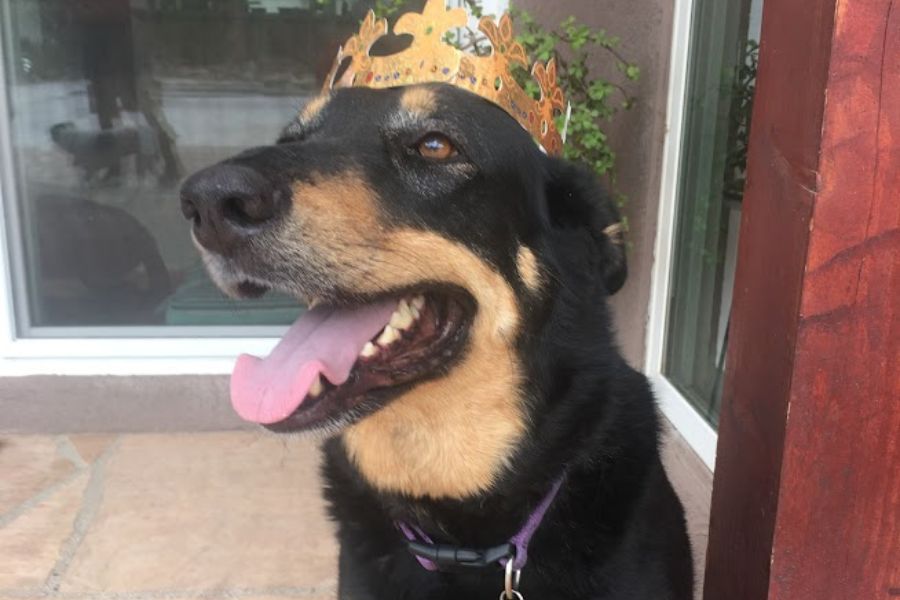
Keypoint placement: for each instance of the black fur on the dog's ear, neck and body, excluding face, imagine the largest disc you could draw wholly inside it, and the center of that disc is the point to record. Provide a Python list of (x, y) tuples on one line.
[(616, 530)]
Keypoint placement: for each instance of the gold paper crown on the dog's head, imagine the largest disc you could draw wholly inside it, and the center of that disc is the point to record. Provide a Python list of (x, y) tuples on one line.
[(431, 59)]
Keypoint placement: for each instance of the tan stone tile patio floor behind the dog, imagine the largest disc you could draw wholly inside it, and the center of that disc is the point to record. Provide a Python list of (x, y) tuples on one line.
[(178, 516)]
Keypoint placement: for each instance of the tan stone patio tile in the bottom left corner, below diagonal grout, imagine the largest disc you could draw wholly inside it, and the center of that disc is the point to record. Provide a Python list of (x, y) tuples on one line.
[(31, 543)]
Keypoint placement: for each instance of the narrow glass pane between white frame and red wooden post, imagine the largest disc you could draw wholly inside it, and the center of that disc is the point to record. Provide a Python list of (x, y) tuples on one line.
[(722, 77)]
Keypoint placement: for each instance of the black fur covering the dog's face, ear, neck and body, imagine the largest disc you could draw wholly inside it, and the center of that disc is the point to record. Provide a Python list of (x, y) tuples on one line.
[(616, 530)]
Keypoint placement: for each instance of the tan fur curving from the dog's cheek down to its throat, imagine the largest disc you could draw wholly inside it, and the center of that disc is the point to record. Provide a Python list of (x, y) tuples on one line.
[(448, 438)]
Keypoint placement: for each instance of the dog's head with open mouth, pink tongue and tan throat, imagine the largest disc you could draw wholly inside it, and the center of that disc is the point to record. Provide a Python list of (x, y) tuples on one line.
[(433, 239)]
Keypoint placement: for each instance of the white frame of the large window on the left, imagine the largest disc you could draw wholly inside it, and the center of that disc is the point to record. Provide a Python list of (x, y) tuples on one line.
[(178, 354)]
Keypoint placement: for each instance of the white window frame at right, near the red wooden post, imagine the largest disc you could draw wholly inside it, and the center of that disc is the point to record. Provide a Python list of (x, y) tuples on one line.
[(686, 419)]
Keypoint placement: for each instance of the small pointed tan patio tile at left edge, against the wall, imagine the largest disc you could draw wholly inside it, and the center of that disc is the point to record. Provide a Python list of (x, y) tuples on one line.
[(29, 464)]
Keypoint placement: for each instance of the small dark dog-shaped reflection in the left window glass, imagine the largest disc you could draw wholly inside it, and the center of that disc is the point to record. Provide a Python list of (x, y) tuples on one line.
[(99, 153)]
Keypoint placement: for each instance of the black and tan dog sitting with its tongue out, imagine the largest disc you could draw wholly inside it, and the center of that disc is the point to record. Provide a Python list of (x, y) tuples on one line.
[(459, 354)]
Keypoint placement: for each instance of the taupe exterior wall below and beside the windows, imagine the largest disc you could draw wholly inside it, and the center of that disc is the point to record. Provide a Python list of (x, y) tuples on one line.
[(74, 404)]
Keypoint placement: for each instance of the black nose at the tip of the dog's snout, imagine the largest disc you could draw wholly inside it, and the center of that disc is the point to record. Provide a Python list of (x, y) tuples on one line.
[(228, 204)]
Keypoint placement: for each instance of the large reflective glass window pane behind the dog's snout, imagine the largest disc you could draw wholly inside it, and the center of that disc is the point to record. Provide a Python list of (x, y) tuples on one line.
[(111, 103)]
